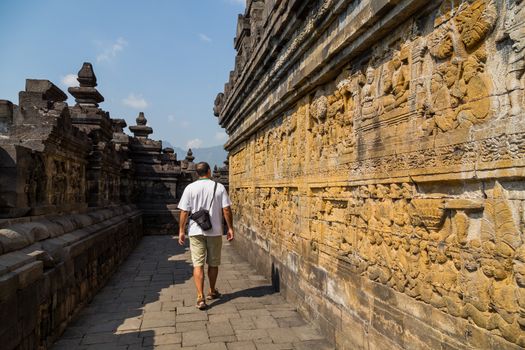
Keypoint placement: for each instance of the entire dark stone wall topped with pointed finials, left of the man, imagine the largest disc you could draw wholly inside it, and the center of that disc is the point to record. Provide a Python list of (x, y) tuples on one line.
[(74, 192)]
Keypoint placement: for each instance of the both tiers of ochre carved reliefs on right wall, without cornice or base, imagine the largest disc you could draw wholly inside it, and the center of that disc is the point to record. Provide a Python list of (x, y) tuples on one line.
[(462, 255)]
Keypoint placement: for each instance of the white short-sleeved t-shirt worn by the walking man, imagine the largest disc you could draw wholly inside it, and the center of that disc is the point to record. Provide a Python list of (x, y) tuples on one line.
[(196, 196)]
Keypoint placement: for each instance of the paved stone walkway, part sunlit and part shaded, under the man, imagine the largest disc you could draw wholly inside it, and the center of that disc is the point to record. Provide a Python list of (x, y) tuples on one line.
[(150, 304)]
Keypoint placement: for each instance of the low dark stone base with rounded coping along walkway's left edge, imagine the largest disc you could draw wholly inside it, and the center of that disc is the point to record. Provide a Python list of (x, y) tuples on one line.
[(53, 265)]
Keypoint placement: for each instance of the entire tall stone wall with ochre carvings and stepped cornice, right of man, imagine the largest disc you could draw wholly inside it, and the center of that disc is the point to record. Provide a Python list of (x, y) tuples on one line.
[(377, 157)]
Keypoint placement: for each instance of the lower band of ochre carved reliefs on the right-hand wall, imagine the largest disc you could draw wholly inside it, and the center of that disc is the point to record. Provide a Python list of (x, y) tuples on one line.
[(463, 256)]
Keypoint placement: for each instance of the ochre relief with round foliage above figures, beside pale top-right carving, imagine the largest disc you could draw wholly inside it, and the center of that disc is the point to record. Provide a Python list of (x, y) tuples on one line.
[(460, 88)]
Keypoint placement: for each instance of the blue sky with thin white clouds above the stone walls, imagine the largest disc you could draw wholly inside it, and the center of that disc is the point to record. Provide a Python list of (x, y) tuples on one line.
[(166, 58)]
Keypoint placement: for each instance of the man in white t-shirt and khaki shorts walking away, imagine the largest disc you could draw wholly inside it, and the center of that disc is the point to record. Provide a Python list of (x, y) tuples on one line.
[(205, 244)]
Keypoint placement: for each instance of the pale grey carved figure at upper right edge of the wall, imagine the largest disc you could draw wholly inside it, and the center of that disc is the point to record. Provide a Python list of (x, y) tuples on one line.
[(514, 29)]
